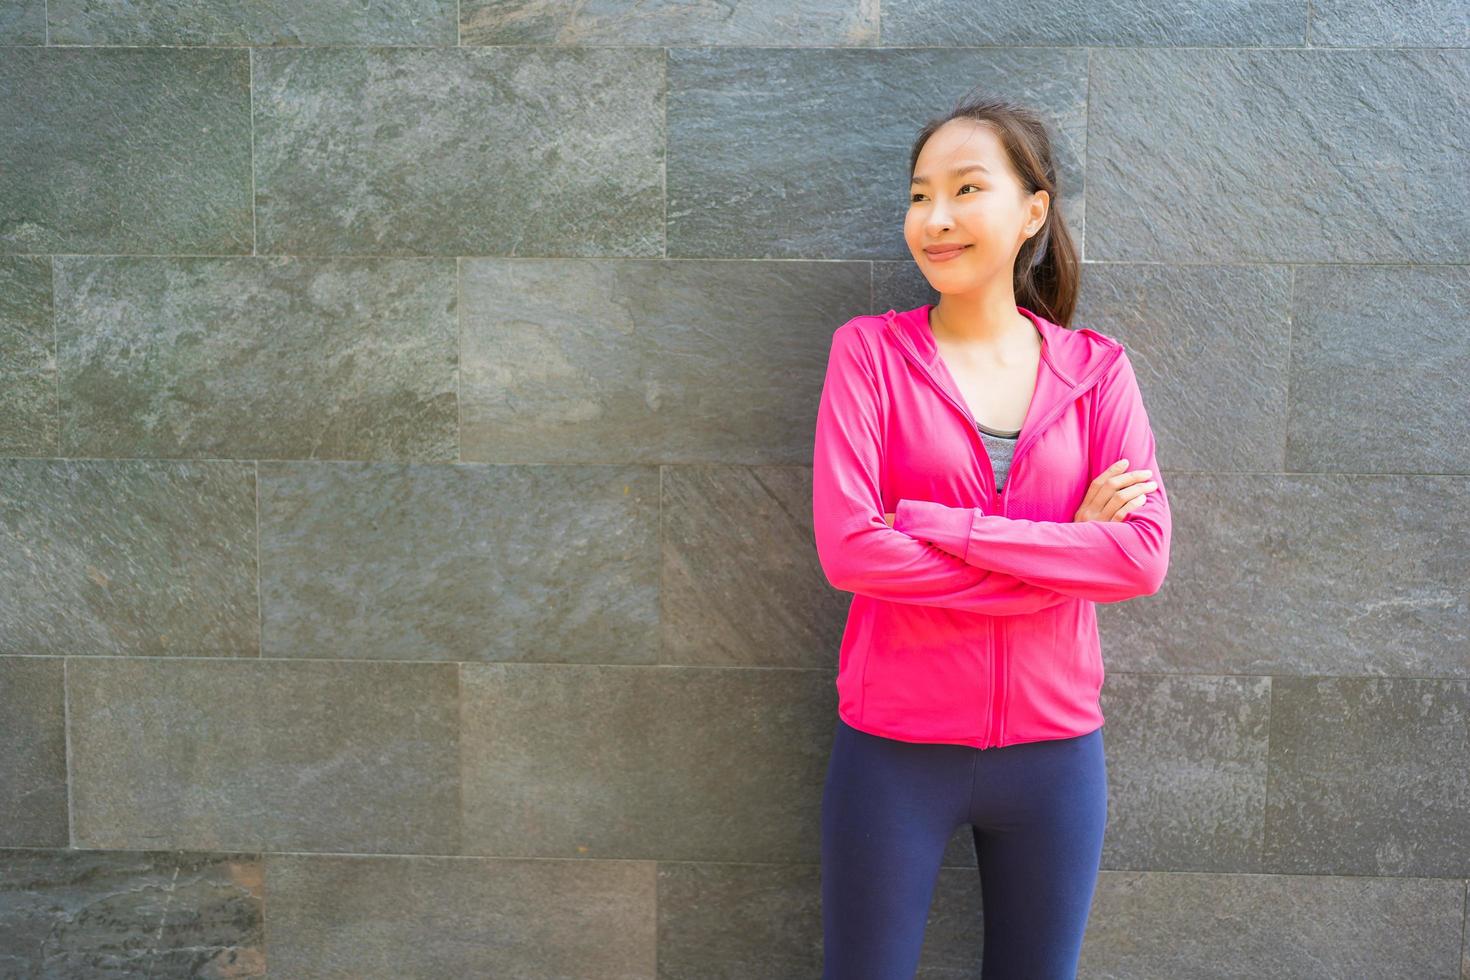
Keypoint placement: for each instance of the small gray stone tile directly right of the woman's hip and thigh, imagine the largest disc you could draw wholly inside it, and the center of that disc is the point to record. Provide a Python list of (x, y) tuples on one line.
[(1187, 772)]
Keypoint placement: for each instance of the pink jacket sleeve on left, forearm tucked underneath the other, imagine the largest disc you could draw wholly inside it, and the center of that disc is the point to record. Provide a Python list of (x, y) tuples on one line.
[(856, 547)]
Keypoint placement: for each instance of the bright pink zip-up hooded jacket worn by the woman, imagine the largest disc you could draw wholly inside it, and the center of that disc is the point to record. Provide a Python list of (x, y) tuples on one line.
[(974, 618)]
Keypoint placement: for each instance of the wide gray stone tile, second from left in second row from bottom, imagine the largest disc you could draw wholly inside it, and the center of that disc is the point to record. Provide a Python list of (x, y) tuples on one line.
[(305, 756)]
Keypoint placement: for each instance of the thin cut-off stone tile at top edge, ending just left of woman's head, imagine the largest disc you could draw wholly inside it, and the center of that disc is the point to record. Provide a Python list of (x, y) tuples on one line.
[(753, 23)]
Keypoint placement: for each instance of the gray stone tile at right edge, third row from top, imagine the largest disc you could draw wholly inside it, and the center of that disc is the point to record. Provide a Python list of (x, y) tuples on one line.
[(1380, 371)]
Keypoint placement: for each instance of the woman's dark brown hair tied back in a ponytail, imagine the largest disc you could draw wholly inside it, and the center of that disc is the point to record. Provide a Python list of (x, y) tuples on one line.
[(1047, 268)]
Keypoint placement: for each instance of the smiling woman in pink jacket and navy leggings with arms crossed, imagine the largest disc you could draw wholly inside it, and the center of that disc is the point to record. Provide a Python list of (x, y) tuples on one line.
[(972, 490)]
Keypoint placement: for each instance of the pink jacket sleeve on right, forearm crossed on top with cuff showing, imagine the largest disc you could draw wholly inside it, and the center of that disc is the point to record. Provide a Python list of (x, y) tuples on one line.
[(1105, 562)]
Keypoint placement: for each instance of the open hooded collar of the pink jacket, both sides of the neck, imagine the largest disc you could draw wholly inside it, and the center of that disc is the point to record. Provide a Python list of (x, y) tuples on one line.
[(1072, 361)]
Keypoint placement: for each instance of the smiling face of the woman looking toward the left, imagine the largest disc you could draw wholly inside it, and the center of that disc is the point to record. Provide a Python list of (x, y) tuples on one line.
[(983, 209)]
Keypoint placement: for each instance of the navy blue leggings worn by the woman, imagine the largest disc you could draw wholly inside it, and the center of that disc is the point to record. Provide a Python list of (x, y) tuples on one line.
[(889, 812)]
